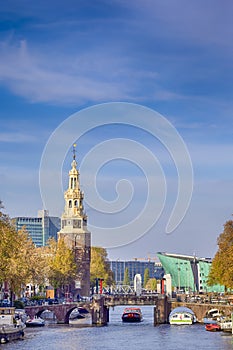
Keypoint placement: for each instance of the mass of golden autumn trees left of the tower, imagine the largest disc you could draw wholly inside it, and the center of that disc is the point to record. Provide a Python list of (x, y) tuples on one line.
[(21, 262)]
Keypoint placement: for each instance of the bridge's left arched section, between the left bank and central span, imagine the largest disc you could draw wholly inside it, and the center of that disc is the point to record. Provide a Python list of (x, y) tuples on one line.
[(61, 311)]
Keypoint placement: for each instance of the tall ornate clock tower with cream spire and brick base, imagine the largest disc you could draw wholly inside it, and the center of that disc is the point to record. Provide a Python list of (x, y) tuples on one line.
[(75, 232)]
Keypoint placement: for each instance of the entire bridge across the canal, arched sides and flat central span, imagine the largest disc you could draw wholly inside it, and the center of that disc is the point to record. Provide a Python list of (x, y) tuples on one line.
[(99, 308)]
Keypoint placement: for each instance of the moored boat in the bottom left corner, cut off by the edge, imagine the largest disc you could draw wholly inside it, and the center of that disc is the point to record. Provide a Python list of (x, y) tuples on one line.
[(10, 327)]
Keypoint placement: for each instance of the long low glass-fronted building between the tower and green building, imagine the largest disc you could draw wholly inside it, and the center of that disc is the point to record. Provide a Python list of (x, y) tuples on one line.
[(134, 267)]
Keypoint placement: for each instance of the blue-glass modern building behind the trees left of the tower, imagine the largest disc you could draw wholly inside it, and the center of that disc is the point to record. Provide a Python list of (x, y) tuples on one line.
[(39, 228)]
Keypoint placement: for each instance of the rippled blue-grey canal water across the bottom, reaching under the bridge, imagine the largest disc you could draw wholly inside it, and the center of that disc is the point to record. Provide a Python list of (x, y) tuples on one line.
[(118, 335)]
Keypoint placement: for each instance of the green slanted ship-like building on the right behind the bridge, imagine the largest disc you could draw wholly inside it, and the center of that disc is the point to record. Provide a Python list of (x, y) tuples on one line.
[(188, 273)]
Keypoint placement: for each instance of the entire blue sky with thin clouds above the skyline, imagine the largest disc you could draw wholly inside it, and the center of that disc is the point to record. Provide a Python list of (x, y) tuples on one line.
[(96, 73)]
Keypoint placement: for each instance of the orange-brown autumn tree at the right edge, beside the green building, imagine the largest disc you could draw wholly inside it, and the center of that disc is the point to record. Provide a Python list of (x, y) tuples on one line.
[(221, 271)]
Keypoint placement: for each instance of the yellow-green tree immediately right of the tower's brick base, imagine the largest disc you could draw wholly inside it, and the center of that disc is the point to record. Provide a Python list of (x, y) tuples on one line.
[(100, 267)]
